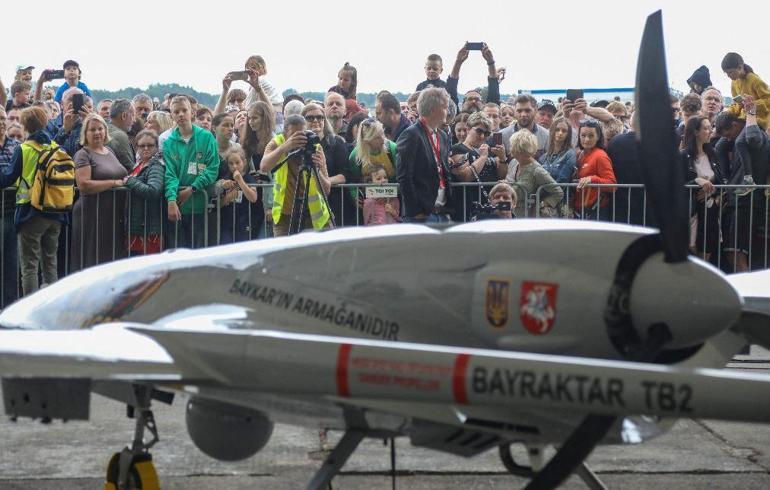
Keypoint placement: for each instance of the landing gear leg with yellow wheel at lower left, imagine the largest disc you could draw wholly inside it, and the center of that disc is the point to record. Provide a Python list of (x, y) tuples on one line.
[(132, 468)]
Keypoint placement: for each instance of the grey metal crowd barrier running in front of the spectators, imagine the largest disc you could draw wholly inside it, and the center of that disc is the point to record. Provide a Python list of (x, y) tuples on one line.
[(739, 230)]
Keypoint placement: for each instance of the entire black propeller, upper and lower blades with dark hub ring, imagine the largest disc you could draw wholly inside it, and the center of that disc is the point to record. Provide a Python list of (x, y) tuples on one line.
[(663, 179)]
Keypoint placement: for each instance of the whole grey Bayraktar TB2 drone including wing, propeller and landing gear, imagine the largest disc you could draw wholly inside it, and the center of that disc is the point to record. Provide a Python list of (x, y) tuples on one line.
[(484, 335)]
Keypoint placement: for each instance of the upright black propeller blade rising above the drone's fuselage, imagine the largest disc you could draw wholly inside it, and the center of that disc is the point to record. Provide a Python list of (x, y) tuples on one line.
[(663, 174)]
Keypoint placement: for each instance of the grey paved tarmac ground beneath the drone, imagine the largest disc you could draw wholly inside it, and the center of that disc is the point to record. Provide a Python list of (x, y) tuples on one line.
[(695, 454)]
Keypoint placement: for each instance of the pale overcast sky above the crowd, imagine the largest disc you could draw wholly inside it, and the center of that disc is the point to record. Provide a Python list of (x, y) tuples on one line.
[(544, 44)]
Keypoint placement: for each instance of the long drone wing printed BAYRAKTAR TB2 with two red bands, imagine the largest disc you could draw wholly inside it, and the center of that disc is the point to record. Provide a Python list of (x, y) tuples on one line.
[(346, 368)]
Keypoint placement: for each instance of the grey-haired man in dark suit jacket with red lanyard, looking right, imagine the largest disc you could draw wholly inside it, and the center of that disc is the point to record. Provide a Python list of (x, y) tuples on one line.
[(422, 154)]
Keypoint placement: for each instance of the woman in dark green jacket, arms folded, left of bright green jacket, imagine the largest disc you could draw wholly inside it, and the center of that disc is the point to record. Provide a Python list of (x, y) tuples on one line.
[(145, 206)]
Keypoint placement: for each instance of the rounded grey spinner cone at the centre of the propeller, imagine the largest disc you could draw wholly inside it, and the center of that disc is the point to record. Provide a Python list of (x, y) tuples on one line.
[(691, 297)]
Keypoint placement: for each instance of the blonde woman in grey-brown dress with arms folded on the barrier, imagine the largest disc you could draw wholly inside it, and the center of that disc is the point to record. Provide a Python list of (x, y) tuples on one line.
[(98, 216)]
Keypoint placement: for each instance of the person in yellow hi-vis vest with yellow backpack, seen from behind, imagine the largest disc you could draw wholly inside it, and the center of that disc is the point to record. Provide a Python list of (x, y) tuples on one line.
[(45, 179)]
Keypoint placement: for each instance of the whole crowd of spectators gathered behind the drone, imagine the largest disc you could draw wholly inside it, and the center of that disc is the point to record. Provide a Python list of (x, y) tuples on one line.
[(157, 174)]
